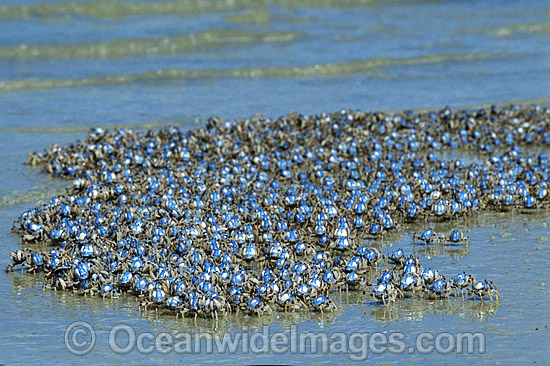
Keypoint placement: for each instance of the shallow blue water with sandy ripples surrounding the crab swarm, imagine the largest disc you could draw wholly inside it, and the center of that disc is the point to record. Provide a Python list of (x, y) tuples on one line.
[(67, 67)]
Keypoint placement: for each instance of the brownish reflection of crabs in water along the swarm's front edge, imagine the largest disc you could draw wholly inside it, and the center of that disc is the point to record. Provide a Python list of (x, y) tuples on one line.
[(409, 308)]
